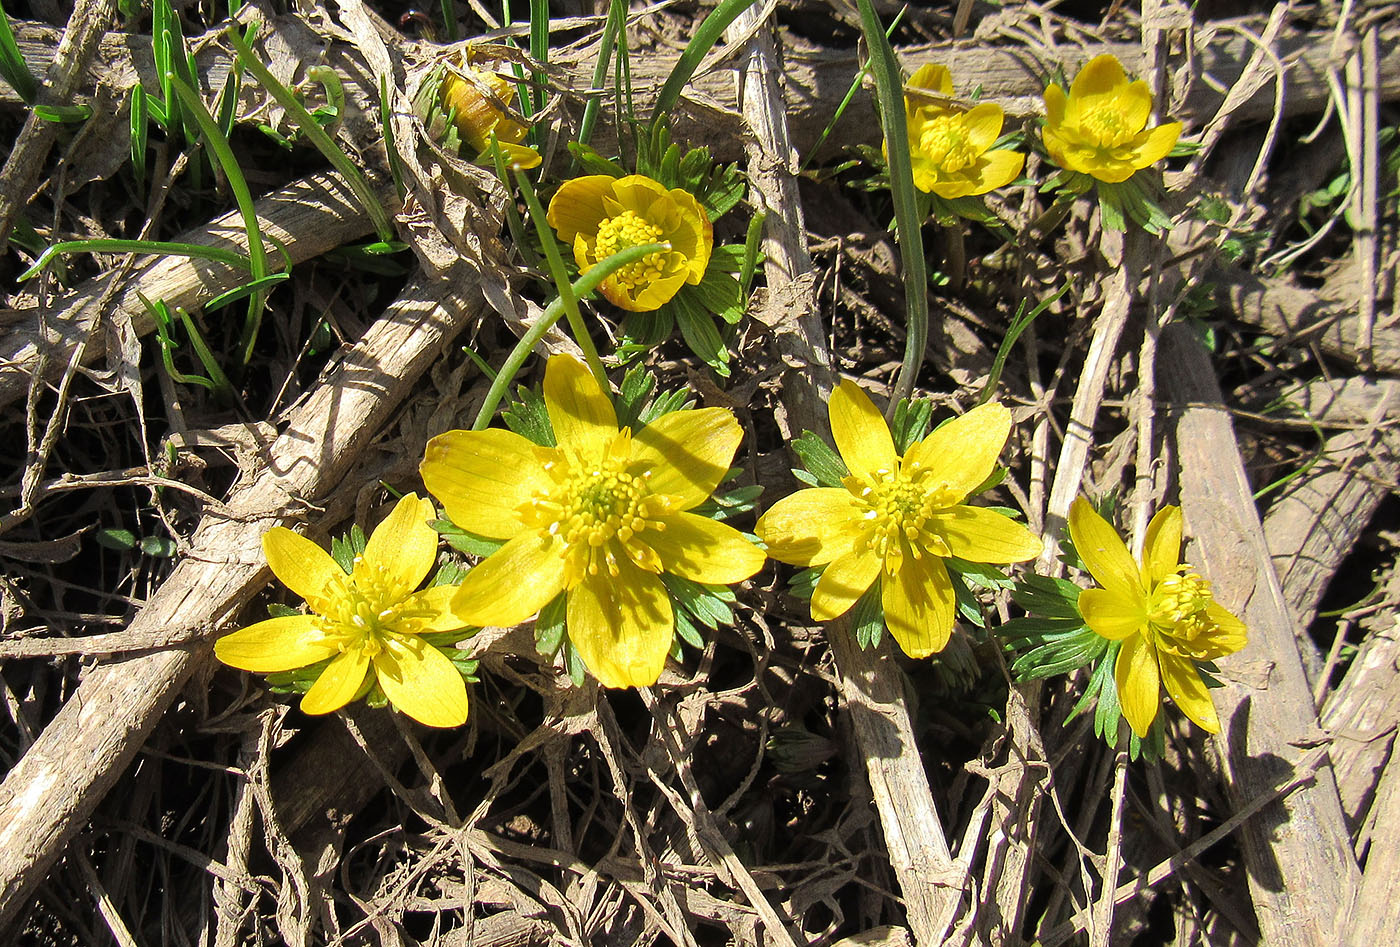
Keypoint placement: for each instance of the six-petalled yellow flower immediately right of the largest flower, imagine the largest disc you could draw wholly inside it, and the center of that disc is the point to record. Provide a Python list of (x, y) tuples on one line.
[(898, 519)]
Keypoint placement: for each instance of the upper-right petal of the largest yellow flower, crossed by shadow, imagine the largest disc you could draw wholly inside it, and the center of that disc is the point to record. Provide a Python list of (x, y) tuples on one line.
[(687, 453)]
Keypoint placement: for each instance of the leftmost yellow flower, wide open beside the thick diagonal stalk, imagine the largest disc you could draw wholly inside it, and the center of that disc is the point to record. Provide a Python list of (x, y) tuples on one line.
[(369, 621)]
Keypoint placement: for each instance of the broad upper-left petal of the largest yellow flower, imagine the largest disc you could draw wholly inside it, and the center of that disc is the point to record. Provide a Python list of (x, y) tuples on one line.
[(482, 478)]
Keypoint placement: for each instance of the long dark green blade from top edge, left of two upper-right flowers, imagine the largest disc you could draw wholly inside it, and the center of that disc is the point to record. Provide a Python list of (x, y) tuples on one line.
[(890, 86)]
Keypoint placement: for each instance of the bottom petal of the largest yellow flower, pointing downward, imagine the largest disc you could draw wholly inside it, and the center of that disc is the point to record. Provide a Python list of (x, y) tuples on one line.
[(622, 627)]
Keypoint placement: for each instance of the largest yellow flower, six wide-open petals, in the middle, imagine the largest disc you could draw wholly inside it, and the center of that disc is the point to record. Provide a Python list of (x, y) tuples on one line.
[(598, 518)]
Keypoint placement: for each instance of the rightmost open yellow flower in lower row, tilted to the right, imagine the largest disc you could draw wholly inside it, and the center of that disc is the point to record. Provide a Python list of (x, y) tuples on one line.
[(1163, 613)]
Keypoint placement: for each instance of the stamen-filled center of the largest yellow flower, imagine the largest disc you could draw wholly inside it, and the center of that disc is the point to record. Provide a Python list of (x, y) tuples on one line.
[(598, 509)]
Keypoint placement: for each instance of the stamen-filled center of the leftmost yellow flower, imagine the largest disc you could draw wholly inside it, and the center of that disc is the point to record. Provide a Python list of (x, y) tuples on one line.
[(359, 613)]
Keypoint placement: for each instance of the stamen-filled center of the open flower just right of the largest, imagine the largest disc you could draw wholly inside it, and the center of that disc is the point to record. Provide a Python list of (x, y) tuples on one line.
[(898, 506)]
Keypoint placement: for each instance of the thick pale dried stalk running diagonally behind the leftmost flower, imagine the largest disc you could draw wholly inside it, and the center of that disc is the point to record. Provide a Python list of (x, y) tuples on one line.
[(82, 753)]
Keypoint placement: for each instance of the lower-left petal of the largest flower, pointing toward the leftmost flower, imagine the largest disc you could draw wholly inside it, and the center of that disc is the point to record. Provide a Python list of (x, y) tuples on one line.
[(513, 583)]
